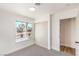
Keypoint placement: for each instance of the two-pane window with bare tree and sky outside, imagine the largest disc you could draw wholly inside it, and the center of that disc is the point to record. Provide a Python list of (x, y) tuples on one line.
[(24, 31)]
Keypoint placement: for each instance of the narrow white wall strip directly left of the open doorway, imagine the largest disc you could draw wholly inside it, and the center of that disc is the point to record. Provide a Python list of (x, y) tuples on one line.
[(55, 33)]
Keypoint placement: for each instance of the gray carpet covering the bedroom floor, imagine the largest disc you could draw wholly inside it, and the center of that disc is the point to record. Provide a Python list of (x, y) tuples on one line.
[(36, 50)]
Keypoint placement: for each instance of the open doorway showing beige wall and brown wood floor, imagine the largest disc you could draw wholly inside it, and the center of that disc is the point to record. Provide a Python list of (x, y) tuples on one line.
[(67, 36)]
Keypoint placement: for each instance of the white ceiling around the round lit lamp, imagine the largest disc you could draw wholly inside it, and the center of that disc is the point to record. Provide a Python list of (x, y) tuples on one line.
[(43, 9)]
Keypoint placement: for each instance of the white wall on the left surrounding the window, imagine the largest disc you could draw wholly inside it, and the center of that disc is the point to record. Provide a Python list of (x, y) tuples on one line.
[(8, 33)]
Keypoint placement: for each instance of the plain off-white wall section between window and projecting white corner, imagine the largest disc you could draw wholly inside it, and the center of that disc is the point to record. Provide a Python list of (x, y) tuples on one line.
[(41, 34)]
